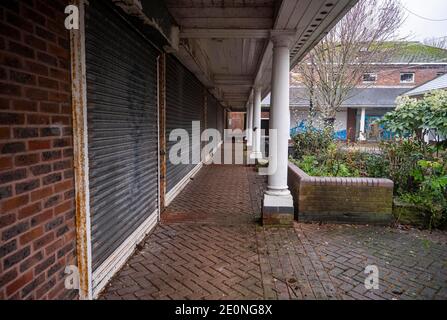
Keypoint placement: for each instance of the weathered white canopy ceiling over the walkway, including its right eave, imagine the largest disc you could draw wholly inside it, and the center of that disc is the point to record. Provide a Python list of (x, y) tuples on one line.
[(226, 42)]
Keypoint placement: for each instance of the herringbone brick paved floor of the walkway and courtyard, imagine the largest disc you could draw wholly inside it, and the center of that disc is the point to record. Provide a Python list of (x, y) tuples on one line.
[(209, 245)]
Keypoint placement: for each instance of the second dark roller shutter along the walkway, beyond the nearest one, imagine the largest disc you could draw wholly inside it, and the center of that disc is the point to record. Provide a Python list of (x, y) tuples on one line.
[(184, 104)]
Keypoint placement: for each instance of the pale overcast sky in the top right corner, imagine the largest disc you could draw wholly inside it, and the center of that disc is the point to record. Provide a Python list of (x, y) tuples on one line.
[(419, 29)]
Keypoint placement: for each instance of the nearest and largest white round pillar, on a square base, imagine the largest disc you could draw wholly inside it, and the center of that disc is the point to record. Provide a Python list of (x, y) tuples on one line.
[(278, 201)]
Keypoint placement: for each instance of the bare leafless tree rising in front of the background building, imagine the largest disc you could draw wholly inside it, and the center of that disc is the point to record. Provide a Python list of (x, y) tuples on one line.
[(366, 35)]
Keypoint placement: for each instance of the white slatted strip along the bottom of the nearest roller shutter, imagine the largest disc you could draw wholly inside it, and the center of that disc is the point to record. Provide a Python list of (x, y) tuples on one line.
[(118, 258)]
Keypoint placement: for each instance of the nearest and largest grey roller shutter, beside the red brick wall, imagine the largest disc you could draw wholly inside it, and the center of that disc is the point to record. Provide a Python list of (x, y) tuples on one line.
[(122, 128)]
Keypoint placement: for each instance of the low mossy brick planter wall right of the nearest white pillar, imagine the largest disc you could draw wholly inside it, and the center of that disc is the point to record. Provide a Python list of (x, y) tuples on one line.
[(344, 200)]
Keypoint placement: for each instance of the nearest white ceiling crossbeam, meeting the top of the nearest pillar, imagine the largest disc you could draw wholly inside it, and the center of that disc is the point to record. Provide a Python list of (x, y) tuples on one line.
[(224, 33)]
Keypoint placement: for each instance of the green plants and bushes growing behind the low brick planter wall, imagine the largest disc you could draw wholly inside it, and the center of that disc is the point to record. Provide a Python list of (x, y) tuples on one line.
[(418, 170)]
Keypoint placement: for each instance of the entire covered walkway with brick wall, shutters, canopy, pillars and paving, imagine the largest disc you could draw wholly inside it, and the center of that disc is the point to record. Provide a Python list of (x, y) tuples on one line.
[(101, 129)]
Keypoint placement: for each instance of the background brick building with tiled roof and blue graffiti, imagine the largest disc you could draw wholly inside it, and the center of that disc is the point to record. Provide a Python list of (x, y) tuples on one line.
[(412, 66)]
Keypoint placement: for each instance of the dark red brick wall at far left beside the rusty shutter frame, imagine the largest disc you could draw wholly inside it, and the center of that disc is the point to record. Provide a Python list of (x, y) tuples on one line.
[(37, 227)]
